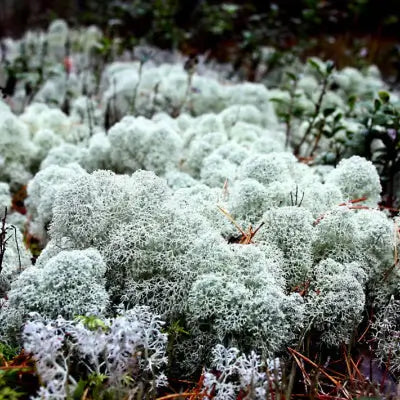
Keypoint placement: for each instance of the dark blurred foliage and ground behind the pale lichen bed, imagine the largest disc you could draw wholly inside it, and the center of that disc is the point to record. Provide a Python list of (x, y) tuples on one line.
[(343, 30)]
